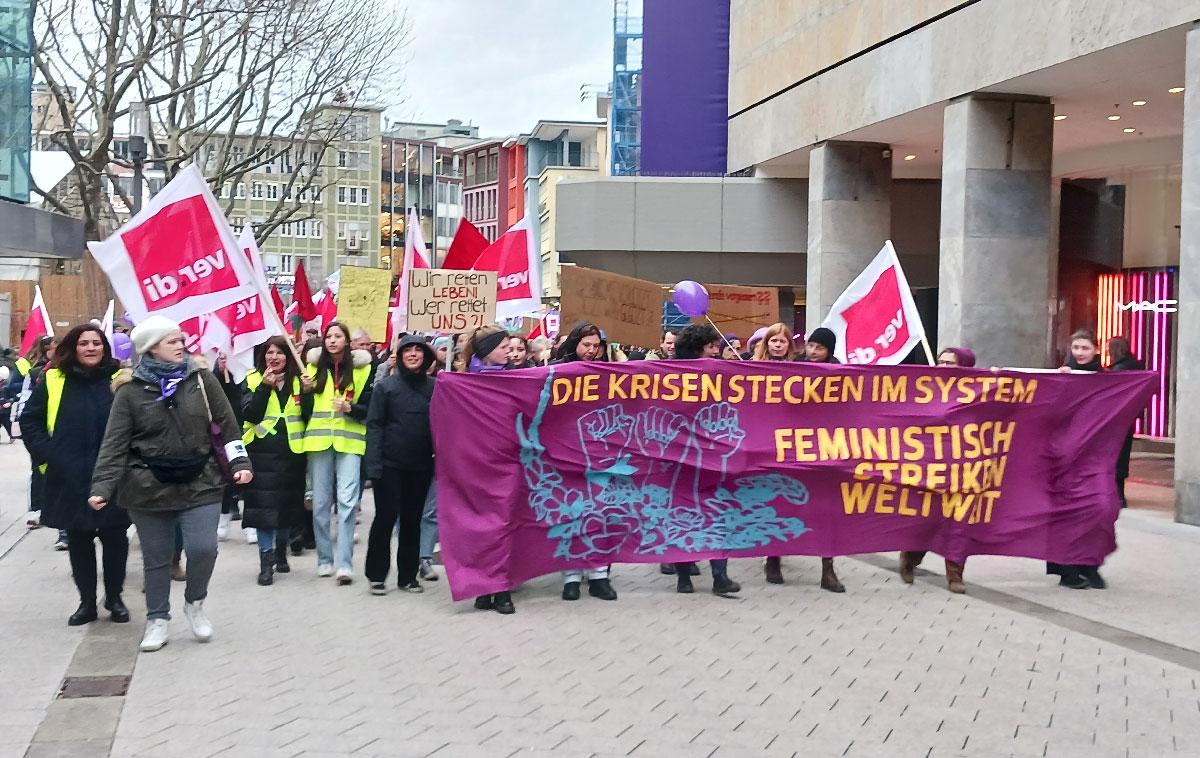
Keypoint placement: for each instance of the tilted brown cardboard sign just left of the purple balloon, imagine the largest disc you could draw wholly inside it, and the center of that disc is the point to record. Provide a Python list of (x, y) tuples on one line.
[(629, 311)]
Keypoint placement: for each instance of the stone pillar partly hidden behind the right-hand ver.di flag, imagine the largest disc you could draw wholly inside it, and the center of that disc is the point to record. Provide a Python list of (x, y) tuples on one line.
[(850, 218)]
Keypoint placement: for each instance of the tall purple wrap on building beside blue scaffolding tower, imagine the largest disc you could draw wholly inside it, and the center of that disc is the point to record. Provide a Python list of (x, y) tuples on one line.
[(686, 67)]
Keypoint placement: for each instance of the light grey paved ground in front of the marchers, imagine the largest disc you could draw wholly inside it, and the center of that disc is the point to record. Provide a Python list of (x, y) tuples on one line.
[(308, 669)]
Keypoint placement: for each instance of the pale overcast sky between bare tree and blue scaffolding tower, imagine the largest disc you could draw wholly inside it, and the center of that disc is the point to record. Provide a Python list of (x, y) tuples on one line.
[(505, 64)]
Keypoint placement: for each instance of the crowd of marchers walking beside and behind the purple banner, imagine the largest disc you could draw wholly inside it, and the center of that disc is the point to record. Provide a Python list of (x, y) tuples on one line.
[(171, 446)]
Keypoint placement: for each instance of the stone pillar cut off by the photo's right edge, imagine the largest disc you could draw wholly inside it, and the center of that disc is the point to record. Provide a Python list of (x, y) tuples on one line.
[(1187, 392)]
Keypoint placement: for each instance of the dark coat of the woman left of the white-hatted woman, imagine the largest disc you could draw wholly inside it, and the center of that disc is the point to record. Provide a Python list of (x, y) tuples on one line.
[(71, 452)]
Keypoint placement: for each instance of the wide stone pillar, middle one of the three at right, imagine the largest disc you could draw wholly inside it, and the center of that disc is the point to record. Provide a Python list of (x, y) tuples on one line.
[(998, 266)]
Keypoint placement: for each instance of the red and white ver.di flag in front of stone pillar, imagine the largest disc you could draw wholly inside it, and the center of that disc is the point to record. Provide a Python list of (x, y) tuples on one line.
[(877, 320)]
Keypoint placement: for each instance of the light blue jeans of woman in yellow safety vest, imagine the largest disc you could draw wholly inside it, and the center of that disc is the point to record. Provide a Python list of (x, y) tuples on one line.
[(335, 476)]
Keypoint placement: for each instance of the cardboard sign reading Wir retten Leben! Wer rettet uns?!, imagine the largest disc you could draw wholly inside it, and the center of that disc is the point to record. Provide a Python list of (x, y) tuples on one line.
[(447, 300)]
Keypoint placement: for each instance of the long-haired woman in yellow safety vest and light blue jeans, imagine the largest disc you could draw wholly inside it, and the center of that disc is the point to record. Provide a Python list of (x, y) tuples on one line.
[(337, 441)]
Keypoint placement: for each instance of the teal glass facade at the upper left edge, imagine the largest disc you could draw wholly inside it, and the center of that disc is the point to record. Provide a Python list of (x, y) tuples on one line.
[(16, 88)]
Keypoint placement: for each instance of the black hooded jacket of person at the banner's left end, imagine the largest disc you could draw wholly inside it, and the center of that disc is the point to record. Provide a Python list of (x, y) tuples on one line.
[(399, 435)]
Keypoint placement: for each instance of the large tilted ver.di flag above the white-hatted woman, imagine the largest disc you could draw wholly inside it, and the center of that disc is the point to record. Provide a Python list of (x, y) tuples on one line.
[(178, 257)]
